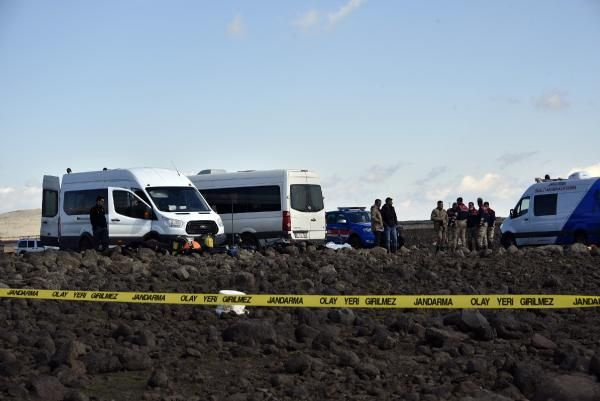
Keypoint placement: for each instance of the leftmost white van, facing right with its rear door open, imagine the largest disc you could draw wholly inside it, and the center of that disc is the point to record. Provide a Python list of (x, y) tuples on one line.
[(141, 204)]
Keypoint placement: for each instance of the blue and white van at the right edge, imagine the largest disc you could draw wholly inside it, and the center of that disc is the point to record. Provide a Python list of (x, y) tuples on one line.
[(559, 211)]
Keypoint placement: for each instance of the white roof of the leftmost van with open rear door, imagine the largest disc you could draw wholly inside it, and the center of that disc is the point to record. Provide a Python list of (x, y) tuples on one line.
[(145, 176)]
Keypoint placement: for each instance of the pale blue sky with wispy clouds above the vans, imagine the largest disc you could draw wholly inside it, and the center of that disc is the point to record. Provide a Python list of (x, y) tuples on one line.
[(416, 100)]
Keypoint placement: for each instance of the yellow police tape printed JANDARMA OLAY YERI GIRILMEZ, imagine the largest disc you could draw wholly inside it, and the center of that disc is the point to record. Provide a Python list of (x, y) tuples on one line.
[(501, 301)]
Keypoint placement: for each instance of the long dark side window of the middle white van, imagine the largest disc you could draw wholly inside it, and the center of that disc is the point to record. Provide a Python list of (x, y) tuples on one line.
[(244, 199)]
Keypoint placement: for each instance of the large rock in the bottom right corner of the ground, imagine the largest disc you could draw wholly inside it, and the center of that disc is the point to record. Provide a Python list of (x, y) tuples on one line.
[(568, 388)]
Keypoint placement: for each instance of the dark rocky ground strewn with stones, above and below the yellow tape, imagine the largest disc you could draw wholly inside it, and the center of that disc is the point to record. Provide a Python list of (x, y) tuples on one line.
[(52, 350)]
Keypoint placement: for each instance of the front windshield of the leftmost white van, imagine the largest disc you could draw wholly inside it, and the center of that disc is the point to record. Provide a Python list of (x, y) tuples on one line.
[(177, 199)]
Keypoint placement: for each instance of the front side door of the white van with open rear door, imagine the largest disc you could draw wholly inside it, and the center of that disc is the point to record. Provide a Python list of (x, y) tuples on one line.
[(129, 217)]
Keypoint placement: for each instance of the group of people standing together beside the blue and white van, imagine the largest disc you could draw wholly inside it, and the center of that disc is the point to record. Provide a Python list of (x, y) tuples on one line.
[(473, 227)]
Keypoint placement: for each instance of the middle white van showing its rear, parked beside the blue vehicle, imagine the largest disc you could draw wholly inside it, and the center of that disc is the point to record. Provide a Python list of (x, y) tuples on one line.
[(268, 206)]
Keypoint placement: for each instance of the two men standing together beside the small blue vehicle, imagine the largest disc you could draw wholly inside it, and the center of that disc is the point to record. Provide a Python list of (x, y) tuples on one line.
[(384, 225)]
